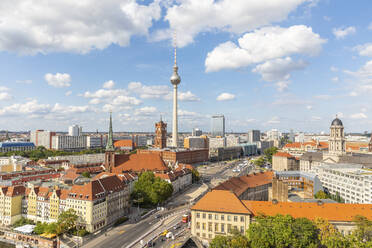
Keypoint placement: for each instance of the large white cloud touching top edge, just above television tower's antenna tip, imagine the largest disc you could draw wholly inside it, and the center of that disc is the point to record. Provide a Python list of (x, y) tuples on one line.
[(191, 17)]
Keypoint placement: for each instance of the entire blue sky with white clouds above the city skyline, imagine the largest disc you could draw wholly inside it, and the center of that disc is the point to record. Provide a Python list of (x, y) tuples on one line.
[(286, 64)]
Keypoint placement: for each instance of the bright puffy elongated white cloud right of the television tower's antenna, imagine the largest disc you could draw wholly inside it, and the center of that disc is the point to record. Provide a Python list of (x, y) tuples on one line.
[(264, 44)]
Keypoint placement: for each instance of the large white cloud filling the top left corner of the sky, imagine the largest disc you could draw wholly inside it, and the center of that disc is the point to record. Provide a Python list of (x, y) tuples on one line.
[(30, 27)]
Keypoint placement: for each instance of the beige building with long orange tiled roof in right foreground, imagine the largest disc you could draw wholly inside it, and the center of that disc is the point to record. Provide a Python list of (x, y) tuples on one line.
[(221, 211)]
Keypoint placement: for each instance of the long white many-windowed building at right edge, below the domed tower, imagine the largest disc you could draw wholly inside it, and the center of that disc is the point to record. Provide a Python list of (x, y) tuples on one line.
[(350, 181)]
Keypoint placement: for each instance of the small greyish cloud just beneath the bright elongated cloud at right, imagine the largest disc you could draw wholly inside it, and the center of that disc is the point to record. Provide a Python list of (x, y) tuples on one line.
[(278, 69)]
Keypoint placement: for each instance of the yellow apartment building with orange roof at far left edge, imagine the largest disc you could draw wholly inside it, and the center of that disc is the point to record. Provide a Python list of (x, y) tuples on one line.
[(10, 204)]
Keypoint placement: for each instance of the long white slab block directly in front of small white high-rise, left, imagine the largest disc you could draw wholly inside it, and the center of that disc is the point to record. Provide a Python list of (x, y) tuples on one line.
[(69, 142)]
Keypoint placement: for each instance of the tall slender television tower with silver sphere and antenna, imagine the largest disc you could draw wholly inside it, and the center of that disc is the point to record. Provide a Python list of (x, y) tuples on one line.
[(175, 80)]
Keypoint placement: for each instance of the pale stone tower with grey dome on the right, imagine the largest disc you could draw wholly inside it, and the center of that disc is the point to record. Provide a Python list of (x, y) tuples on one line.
[(337, 143)]
